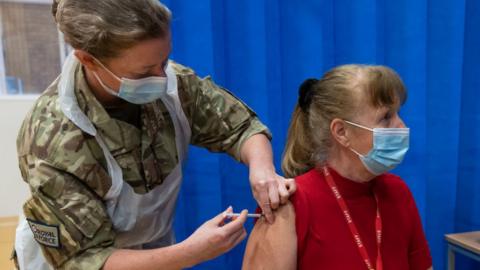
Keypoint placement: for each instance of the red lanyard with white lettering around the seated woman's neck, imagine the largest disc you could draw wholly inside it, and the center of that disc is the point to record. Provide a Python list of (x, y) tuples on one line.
[(353, 228)]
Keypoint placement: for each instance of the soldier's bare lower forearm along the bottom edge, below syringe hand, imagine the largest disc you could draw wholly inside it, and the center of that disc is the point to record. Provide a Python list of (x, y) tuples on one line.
[(172, 257)]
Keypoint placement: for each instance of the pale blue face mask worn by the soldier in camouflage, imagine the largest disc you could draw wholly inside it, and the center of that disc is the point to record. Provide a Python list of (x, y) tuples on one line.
[(139, 91)]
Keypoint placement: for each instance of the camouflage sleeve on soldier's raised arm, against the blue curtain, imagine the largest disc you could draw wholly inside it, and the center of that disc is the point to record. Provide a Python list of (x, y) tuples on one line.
[(219, 121)]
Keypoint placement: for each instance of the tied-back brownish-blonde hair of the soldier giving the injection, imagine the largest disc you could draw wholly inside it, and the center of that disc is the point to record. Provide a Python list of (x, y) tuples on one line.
[(104, 28)]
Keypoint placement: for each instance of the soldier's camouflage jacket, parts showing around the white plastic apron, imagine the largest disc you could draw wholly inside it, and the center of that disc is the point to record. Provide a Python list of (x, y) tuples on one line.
[(66, 170)]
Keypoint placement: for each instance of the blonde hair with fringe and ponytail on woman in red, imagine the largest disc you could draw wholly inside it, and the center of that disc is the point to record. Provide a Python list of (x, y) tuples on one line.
[(335, 95)]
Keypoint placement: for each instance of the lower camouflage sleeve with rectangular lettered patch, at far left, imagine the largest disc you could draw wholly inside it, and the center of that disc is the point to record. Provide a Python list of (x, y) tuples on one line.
[(68, 220)]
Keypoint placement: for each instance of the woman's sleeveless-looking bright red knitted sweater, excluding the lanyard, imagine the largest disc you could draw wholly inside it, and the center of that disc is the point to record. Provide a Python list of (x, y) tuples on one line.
[(324, 239)]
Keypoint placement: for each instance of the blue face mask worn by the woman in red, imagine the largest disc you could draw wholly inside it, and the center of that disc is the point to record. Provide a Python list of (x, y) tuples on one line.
[(389, 147)]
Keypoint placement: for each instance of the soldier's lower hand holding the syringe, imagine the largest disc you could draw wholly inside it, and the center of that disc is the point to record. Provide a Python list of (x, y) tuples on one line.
[(216, 237)]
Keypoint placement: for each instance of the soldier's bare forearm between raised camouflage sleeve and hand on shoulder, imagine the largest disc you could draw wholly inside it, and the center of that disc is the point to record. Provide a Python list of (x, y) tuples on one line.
[(256, 152)]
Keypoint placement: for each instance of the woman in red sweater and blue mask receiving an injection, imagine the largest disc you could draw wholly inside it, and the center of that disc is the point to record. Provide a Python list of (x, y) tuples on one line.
[(348, 213)]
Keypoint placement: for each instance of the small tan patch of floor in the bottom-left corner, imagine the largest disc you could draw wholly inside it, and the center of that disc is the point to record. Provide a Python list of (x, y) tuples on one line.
[(7, 238)]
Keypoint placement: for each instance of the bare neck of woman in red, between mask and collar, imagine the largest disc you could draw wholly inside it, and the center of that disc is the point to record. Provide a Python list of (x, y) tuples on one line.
[(348, 165)]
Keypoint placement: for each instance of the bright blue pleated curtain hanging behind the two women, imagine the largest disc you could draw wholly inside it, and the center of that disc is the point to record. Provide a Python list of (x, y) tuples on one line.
[(262, 51)]
